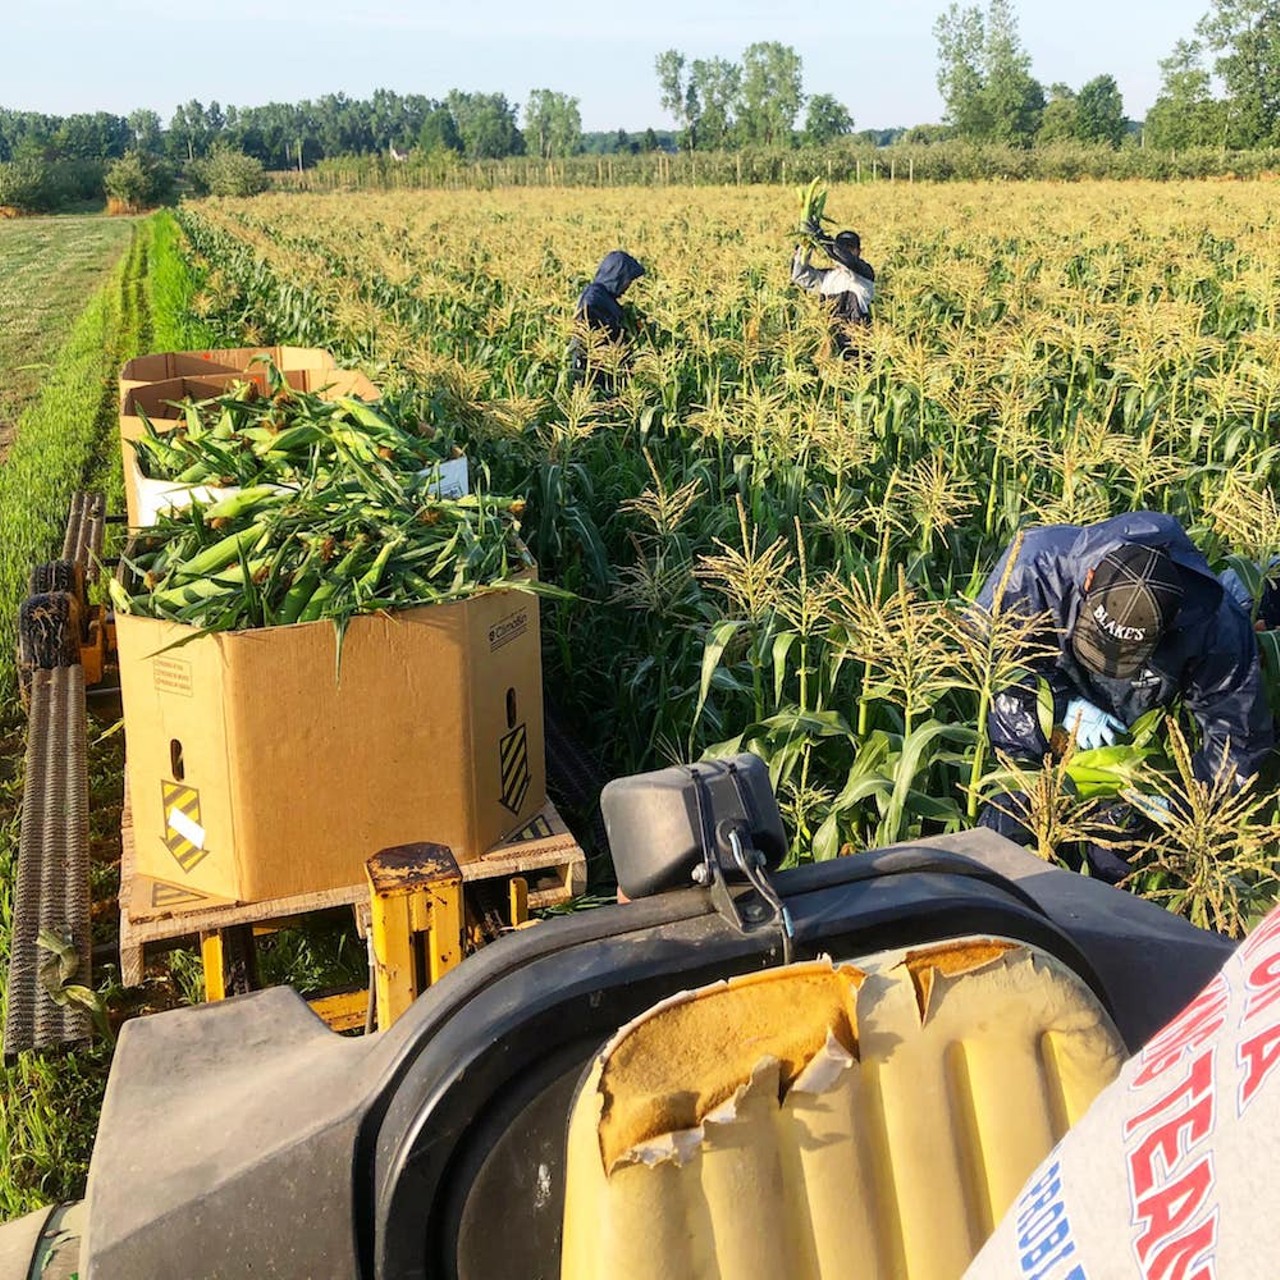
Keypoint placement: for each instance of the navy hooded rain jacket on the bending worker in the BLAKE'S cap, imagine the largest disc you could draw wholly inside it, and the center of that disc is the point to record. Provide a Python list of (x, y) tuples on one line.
[(1209, 657)]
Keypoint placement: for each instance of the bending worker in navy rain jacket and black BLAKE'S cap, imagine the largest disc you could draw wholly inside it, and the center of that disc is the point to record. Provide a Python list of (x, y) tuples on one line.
[(1141, 620)]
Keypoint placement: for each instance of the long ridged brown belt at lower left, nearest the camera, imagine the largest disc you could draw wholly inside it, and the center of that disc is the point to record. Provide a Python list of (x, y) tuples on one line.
[(52, 889)]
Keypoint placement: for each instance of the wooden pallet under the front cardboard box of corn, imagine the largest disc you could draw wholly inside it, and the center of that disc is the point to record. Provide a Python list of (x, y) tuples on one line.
[(545, 854)]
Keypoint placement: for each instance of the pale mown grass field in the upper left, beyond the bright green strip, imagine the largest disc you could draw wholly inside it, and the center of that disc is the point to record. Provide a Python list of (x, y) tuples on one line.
[(49, 267)]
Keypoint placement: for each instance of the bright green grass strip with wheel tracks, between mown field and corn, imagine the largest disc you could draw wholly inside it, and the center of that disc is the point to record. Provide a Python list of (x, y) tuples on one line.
[(67, 440)]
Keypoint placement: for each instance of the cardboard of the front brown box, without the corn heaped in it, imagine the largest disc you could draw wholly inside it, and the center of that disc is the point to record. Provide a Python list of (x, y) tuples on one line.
[(254, 774)]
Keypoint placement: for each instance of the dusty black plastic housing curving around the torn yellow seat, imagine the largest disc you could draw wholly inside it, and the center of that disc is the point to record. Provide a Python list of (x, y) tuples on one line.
[(245, 1139)]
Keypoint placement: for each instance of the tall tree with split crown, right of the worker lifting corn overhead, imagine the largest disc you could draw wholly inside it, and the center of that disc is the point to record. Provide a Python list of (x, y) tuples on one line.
[(985, 75)]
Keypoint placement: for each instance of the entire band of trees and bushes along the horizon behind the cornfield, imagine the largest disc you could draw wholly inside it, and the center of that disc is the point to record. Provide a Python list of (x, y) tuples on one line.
[(737, 121)]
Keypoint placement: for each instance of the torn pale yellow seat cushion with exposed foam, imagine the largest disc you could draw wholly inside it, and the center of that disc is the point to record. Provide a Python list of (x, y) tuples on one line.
[(820, 1122)]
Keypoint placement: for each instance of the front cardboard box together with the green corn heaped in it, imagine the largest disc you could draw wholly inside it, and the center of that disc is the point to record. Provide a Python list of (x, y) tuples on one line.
[(310, 676)]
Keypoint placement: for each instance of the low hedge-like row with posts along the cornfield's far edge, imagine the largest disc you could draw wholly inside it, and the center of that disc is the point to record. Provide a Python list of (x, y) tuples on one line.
[(953, 161)]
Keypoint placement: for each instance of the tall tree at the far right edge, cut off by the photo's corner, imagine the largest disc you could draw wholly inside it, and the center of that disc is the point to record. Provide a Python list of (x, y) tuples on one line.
[(1246, 36)]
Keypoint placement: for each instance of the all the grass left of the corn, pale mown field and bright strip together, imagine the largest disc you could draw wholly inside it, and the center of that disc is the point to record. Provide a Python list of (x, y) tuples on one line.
[(72, 308)]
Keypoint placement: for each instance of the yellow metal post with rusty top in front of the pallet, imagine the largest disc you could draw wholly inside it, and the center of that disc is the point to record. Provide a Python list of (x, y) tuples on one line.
[(415, 899)]
